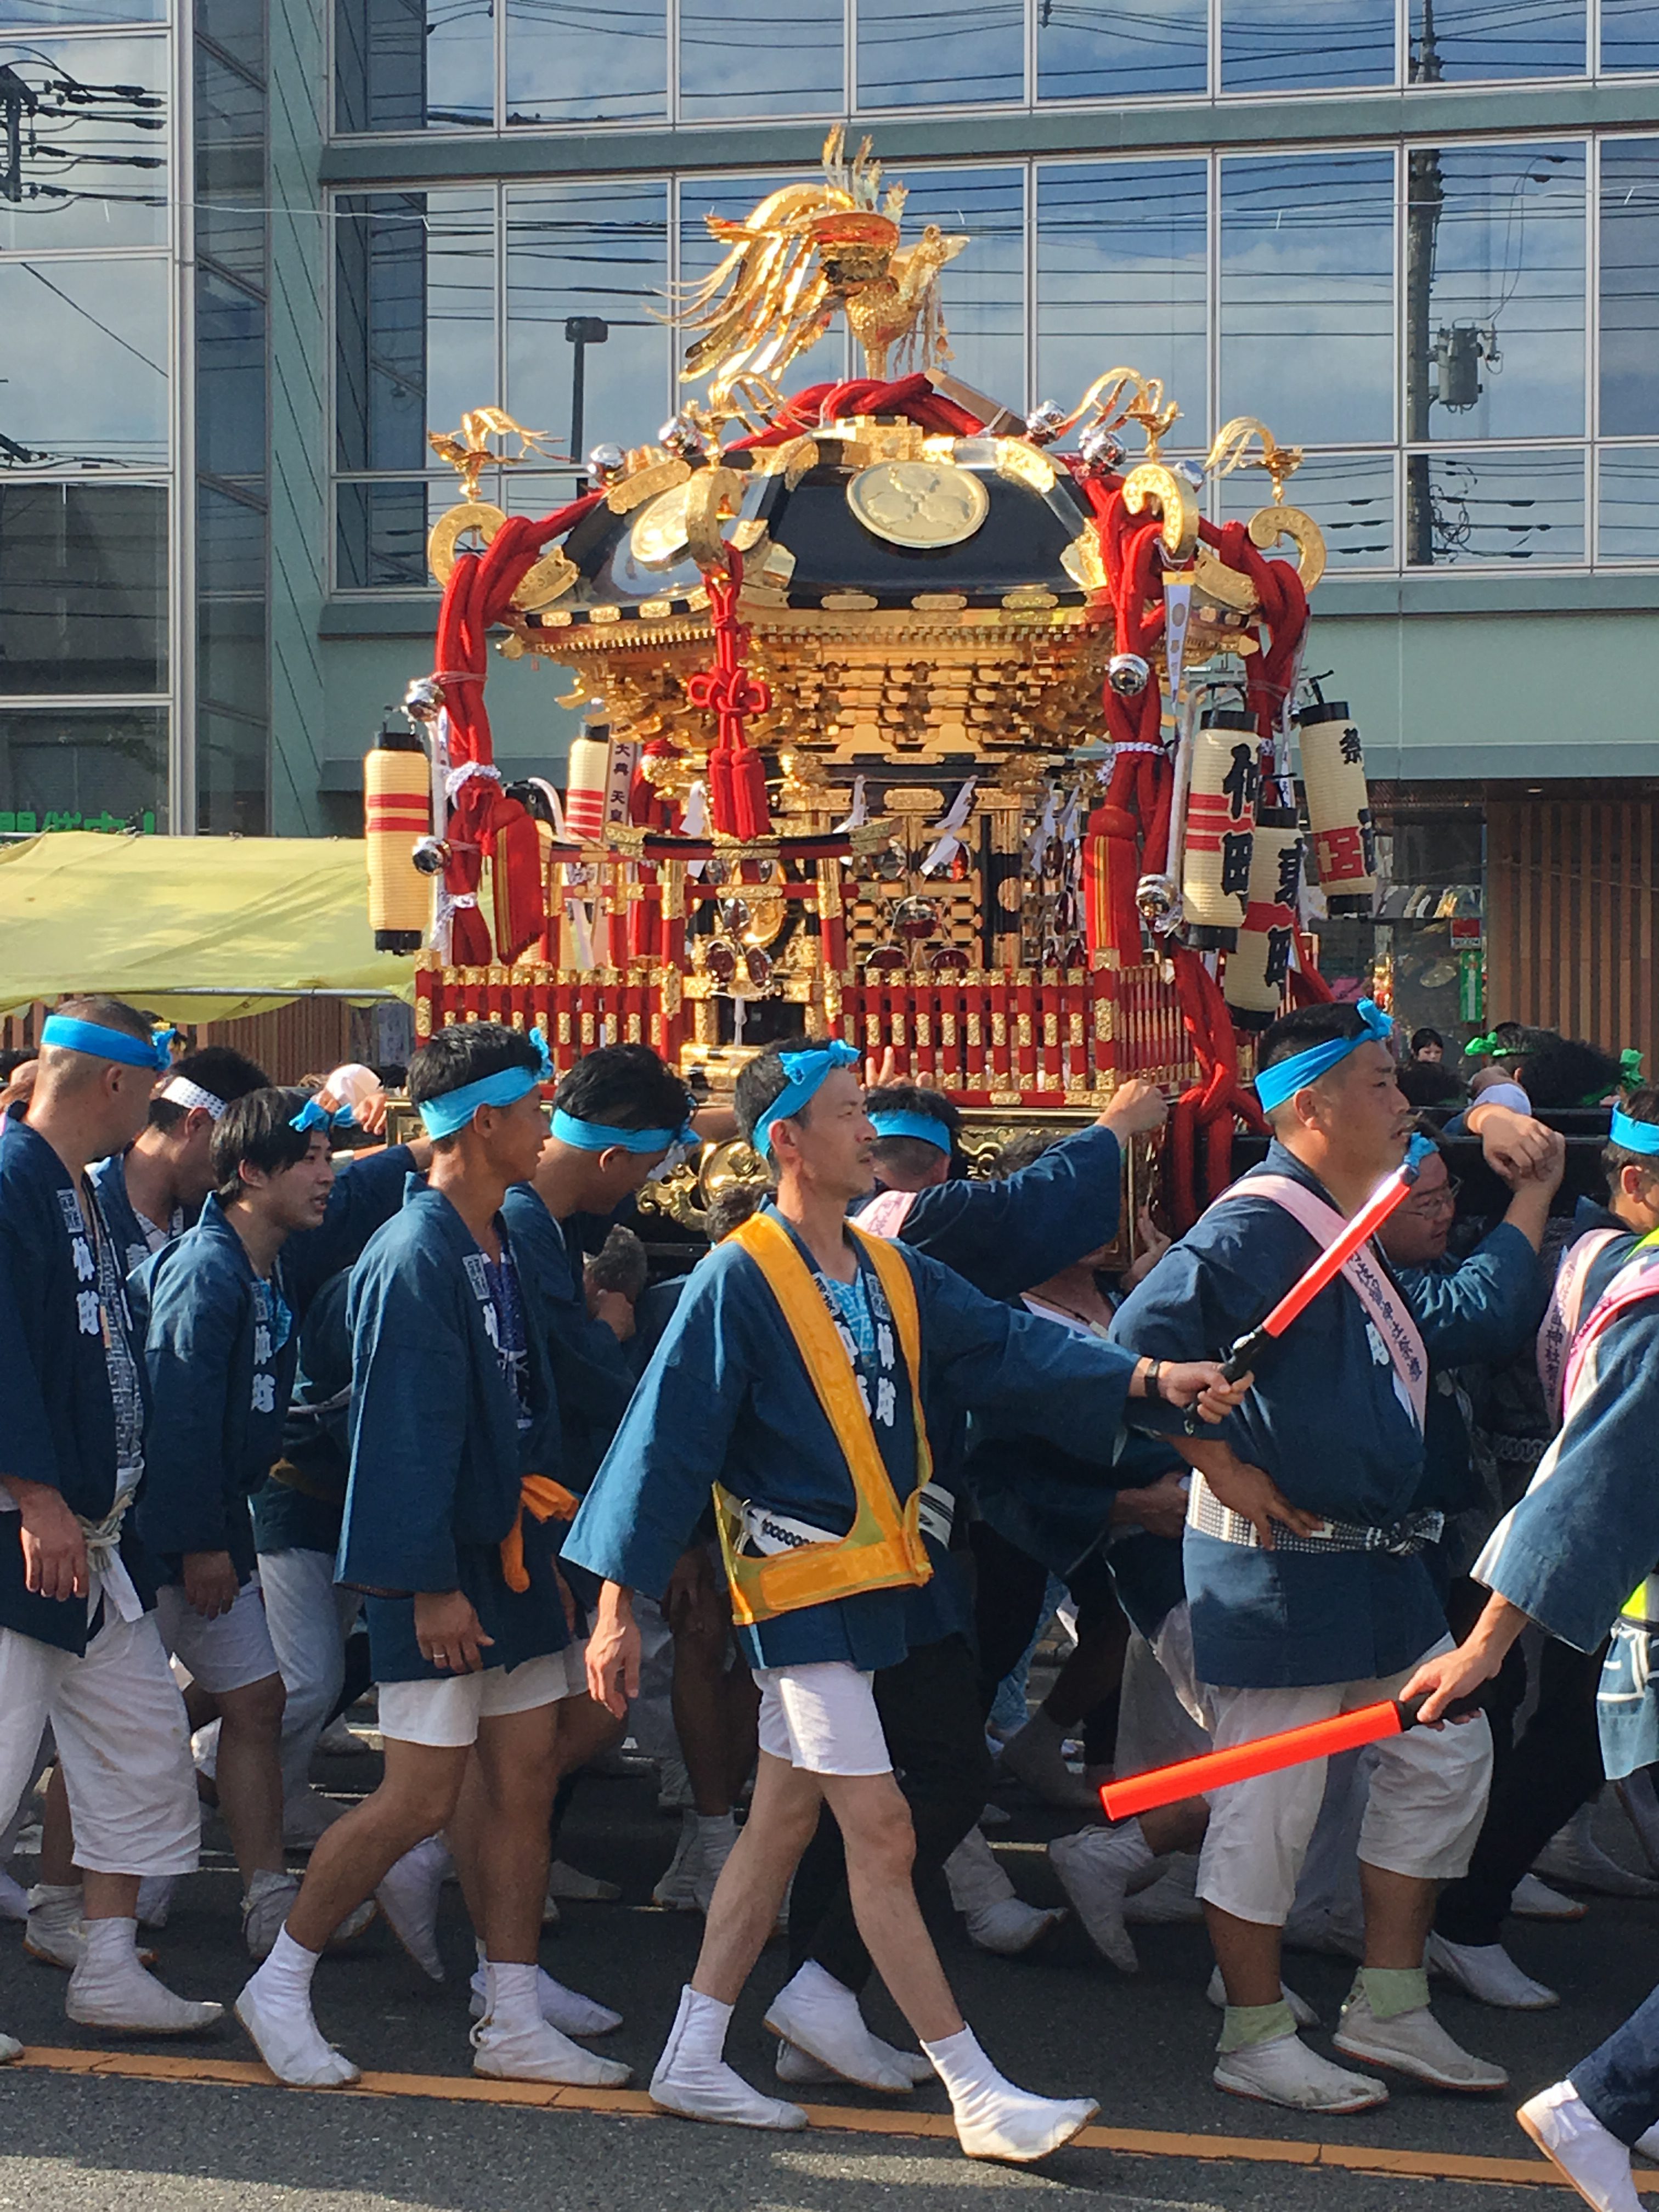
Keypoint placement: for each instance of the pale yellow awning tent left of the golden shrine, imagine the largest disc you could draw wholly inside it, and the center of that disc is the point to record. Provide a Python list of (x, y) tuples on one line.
[(198, 928)]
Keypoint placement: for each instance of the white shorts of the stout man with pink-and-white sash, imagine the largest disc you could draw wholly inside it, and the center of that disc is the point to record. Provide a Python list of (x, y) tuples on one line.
[(1423, 1815)]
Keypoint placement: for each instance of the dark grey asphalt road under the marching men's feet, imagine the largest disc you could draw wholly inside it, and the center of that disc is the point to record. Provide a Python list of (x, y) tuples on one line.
[(1056, 2021)]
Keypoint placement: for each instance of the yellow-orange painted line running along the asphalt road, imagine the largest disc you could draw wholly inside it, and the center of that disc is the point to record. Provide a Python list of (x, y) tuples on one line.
[(848, 2120)]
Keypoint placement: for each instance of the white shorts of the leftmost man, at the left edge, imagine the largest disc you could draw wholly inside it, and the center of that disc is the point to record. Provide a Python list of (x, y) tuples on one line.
[(123, 1742)]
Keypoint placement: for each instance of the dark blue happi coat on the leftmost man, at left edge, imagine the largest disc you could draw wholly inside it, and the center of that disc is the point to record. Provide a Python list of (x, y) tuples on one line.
[(56, 1412)]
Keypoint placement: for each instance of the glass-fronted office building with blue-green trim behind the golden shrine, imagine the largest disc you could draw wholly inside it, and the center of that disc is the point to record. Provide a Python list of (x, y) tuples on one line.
[(253, 258)]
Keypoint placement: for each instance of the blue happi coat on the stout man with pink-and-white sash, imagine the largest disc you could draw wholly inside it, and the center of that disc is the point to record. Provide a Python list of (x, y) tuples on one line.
[(1333, 1430)]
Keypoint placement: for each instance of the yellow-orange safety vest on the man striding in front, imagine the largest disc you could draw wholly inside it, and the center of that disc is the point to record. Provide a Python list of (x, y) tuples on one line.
[(884, 1550)]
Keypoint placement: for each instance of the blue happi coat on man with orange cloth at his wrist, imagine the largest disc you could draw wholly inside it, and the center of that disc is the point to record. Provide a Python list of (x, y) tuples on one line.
[(437, 1448)]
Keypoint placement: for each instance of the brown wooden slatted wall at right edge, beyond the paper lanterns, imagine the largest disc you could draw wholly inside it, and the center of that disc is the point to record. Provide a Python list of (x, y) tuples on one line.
[(1574, 917)]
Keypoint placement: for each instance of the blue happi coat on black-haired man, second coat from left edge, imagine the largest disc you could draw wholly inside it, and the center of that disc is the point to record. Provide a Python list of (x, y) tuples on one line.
[(222, 1353)]
